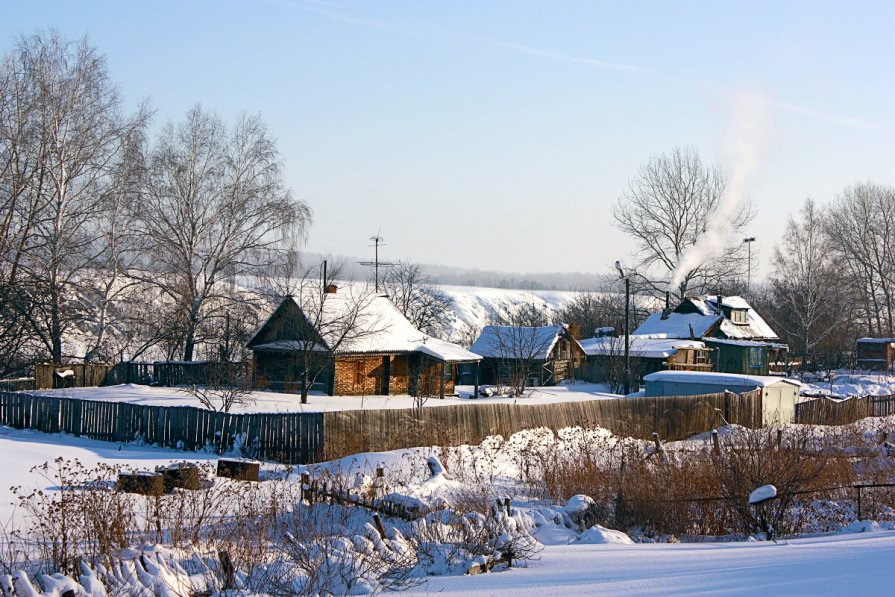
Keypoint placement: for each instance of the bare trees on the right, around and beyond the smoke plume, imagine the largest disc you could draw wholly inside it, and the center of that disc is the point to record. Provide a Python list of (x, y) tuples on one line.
[(833, 272)]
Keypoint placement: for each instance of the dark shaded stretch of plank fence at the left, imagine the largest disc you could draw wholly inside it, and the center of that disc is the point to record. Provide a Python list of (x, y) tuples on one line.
[(293, 438)]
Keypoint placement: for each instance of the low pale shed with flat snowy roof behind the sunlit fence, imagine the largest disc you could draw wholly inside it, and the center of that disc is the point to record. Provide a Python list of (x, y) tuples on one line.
[(778, 395)]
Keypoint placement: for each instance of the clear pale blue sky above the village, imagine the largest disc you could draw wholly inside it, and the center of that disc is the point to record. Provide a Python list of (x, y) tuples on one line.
[(498, 135)]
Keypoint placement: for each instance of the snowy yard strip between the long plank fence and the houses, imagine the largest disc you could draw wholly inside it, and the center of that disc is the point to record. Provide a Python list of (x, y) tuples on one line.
[(271, 402)]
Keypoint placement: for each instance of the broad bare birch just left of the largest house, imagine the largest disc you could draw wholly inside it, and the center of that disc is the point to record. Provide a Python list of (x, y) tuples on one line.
[(213, 208)]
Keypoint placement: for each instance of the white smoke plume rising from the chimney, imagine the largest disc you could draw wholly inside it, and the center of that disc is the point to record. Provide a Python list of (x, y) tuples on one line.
[(742, 156)]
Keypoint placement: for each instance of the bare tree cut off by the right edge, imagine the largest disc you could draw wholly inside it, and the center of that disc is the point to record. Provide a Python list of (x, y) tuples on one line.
[(861, 230)]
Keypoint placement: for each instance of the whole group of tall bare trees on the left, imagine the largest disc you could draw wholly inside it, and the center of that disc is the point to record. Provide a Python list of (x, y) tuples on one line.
[(117, 238)]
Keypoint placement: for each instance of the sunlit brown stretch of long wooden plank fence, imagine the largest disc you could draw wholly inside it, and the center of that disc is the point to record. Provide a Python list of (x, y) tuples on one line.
[(673, 418)]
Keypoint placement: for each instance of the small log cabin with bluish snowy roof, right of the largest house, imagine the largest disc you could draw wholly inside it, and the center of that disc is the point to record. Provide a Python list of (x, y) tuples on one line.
[(545, 355)]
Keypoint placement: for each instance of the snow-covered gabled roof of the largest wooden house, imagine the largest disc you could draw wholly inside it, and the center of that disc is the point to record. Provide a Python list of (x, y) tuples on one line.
[(379, 329)]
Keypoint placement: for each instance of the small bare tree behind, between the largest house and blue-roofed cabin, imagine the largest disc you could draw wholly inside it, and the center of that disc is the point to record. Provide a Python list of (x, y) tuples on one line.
[(418, 299)]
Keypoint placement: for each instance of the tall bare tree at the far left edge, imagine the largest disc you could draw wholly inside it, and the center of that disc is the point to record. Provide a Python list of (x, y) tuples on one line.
[(62, 144)]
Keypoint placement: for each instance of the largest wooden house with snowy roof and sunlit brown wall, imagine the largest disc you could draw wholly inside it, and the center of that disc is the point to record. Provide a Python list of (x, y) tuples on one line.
[(356, 345)]
